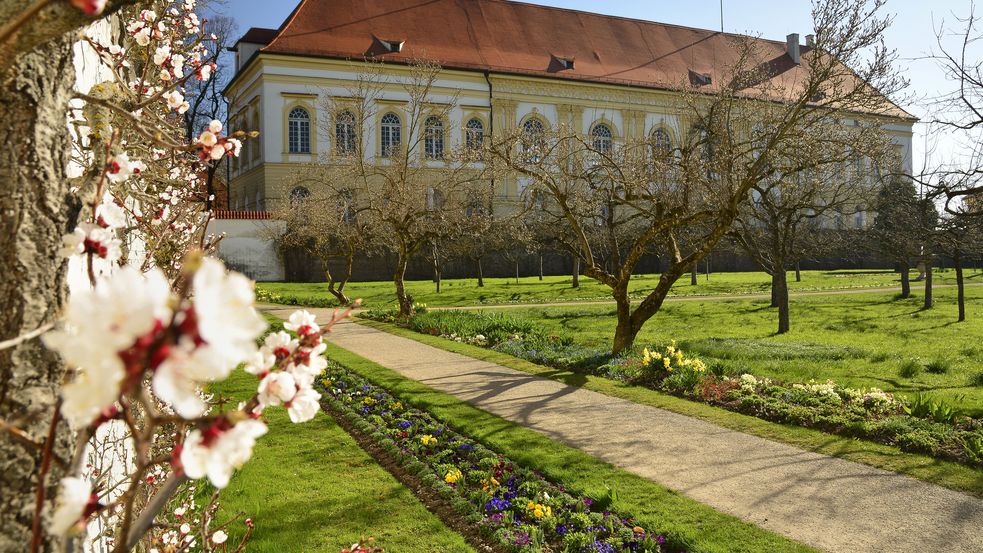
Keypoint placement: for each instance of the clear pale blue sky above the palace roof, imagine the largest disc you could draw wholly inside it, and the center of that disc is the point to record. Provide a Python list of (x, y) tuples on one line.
[(911, 35)]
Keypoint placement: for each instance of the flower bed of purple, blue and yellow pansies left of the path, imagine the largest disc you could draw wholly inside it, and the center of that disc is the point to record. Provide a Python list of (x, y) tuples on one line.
[(511, 507)]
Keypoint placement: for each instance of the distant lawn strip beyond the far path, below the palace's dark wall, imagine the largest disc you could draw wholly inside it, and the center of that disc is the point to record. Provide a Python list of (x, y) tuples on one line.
[(462, 292)]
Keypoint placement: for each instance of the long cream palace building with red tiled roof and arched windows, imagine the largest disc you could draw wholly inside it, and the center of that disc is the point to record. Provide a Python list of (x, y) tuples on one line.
[(508, 64)]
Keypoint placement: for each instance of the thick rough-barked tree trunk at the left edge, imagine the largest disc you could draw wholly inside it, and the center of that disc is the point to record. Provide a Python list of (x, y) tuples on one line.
[(36, 209)]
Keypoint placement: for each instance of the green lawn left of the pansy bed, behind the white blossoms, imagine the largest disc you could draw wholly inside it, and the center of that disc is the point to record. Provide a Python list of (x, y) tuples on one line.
[(309, 487)]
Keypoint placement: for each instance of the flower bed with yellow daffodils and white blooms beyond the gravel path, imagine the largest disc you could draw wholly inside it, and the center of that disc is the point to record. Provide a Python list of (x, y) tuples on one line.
[(920, 425)]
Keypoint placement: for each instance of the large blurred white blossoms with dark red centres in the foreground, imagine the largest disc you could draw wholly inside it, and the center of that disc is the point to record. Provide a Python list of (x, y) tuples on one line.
[(132, 328)]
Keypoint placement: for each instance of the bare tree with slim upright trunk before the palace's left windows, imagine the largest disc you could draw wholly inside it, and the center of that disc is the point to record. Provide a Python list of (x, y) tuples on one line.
[(420, 191)]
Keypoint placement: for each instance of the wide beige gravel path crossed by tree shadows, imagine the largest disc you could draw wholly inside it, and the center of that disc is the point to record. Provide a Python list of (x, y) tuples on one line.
[(829, 503)]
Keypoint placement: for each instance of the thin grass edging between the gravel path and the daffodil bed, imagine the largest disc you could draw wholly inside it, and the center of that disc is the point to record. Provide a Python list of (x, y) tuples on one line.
[(944, 473)]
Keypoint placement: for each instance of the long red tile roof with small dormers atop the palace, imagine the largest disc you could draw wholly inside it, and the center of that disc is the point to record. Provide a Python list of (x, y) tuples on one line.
[(502, 36)]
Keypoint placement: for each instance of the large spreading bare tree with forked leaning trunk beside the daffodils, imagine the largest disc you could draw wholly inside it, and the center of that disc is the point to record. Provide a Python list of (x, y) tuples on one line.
[(739, 132)]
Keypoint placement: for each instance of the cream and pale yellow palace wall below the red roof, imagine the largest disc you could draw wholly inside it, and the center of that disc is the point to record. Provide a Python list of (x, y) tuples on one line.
[(272, 85)]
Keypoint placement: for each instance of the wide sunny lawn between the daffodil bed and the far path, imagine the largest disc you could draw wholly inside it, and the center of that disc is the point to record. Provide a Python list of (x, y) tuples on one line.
[(859, 340)]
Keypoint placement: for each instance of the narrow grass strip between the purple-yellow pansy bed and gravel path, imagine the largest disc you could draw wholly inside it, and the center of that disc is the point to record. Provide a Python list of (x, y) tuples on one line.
[(706, 530)]
